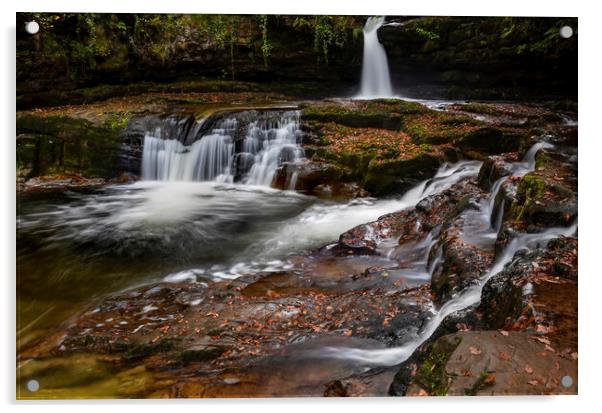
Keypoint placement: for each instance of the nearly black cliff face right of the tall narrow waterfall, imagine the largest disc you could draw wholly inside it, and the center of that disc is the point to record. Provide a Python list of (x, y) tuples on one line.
[(484, 57)]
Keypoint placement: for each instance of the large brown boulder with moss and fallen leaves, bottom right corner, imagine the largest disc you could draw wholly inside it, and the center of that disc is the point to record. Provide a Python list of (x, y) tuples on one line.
[(493, 363)]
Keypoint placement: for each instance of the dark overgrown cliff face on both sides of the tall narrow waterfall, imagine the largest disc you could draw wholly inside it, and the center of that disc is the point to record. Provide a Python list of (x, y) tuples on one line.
[(486, 57)]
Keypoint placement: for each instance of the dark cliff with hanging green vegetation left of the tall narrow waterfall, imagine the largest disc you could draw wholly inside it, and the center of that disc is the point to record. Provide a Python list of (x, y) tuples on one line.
[(84, 49)]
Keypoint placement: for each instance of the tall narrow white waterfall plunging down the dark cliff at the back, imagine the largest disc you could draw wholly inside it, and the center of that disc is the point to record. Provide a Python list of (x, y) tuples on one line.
[(376, 81)]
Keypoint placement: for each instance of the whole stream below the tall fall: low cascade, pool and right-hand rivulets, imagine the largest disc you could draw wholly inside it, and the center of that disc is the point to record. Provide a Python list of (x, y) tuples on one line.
[(205, 211)]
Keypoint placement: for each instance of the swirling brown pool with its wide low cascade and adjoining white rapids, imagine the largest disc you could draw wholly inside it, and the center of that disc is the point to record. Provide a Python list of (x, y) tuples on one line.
[(179, 225)]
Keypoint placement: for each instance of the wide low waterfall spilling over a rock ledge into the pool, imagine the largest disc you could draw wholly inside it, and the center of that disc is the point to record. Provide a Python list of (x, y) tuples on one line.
[(246, 147)]
